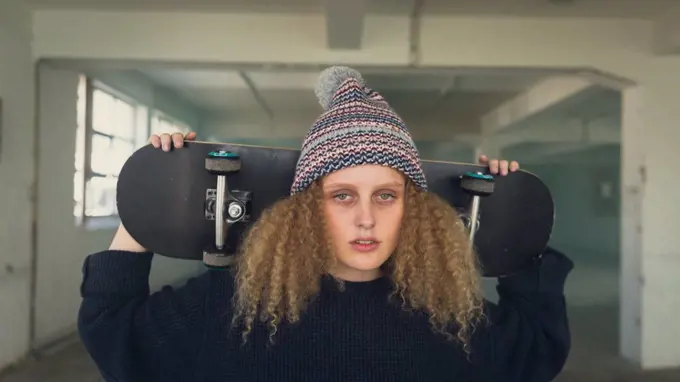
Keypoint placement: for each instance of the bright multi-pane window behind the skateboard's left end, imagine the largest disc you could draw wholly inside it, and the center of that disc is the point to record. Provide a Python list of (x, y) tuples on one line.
[(111, 126)]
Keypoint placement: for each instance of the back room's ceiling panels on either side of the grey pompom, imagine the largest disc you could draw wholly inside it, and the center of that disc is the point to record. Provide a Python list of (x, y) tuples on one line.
[(410, 92)]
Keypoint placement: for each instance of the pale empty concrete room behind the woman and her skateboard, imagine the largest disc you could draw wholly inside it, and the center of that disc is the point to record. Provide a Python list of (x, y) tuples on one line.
[(578, 92)]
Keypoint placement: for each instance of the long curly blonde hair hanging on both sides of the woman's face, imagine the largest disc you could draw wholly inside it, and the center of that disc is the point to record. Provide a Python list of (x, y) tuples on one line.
[(287, 251)]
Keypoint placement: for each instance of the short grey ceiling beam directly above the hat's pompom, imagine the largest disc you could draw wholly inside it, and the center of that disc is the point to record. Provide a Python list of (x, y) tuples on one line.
[(344, 23)]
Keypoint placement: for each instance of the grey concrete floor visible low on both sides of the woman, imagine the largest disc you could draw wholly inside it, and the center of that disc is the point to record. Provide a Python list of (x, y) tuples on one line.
[(593, 357)]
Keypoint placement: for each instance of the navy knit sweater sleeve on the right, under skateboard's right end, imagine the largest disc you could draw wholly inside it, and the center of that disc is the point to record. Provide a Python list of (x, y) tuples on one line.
[(526, 336)]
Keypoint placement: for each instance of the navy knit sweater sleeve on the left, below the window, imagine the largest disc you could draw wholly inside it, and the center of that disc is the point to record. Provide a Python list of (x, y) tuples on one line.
[(133, 335)]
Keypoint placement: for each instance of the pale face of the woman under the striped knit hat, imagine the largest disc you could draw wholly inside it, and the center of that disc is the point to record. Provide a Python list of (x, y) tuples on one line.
[(364, 206)]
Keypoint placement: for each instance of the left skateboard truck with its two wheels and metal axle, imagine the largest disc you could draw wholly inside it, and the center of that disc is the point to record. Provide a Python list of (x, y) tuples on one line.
[(223, 206)]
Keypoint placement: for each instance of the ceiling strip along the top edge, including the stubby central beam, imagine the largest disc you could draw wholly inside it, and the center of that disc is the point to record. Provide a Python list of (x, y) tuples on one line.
[(345, 19)]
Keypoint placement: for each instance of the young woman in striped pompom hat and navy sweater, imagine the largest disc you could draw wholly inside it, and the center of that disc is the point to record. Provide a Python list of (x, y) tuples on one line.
[(360, 275)]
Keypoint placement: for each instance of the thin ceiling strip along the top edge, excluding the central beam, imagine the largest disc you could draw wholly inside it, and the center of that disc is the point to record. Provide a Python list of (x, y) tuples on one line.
[(581, 8)]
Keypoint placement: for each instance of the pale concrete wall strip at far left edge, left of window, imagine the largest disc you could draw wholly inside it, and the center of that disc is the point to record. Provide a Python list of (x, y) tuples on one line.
[(17, 187)]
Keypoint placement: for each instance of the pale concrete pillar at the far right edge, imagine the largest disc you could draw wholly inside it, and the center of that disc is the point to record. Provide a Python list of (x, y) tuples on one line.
[(650, 218)]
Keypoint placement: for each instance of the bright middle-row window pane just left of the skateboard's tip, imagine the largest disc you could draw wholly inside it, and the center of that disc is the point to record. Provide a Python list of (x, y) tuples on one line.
[(109, 155)]
